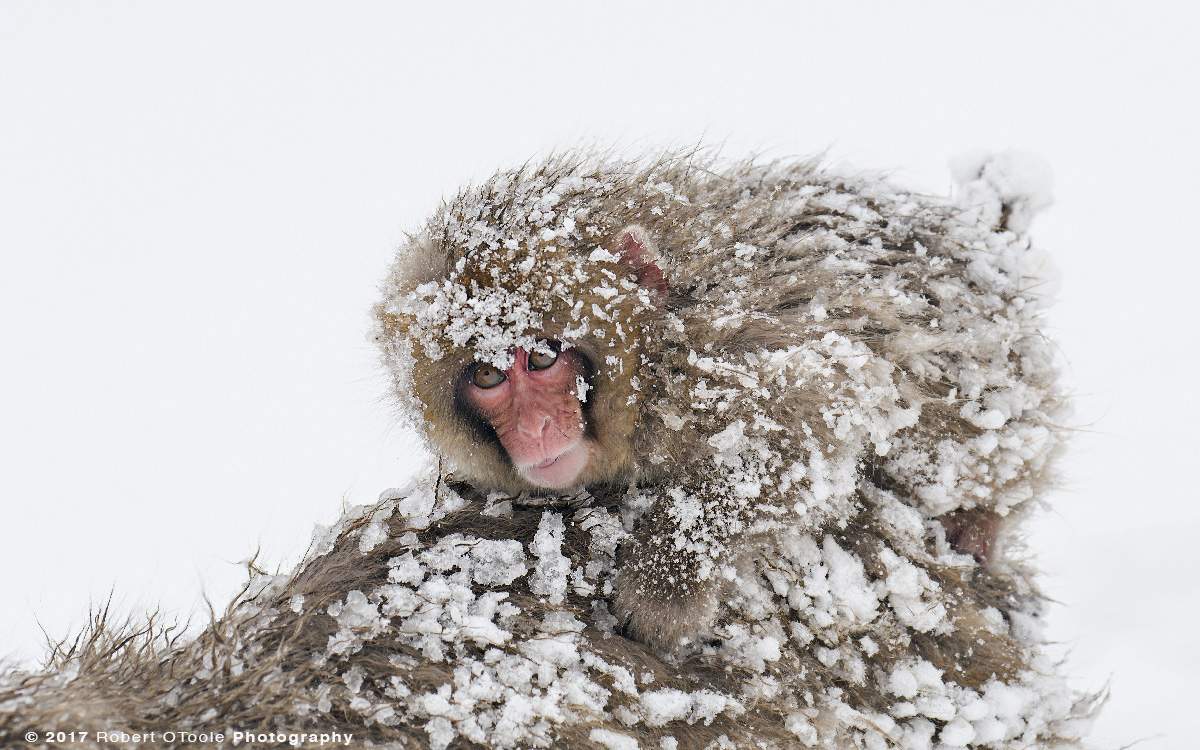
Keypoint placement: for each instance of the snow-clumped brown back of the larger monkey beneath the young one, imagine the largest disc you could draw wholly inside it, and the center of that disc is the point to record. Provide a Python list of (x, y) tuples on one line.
[(442, 620)]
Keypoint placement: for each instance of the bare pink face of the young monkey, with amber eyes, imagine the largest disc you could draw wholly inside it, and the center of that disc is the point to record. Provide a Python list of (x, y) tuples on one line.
[(537, 415)]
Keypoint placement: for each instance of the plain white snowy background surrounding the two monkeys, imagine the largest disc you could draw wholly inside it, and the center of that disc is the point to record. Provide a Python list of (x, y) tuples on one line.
[(197, 203)]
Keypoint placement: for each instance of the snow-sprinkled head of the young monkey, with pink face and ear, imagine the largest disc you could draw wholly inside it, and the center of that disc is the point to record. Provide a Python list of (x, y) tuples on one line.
[(520, 343)]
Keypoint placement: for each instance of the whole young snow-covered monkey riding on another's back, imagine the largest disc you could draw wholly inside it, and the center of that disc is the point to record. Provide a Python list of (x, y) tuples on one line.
[(730, 351)]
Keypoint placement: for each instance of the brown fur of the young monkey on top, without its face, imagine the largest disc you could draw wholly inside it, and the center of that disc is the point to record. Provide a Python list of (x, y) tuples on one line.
[(759, 261)]
